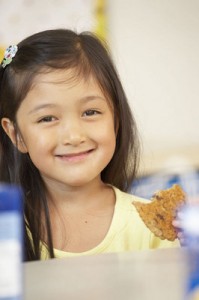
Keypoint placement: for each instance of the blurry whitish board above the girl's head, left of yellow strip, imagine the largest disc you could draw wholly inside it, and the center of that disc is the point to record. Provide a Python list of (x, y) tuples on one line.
[(20, 18)]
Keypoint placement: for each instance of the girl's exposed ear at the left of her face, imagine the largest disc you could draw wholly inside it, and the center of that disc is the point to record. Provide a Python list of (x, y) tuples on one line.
[(14, 136)]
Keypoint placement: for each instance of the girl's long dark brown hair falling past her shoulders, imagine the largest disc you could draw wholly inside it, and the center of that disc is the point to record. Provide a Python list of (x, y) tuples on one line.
[(43, 52)]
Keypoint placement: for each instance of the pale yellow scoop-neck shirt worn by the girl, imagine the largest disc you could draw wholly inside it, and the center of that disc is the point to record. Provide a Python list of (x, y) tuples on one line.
[(126, 233)]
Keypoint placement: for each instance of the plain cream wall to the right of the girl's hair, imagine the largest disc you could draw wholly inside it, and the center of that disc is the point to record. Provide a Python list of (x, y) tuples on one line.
[(156, 48)]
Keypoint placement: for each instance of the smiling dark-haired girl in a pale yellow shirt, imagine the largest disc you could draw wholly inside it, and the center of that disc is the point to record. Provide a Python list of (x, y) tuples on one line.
[(69, 140)]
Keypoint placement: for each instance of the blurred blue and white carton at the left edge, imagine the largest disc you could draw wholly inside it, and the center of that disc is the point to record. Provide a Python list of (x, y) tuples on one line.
[(11, 242)]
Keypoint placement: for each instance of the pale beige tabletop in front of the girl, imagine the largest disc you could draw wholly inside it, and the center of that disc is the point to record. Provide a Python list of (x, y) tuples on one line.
[(153, 274)]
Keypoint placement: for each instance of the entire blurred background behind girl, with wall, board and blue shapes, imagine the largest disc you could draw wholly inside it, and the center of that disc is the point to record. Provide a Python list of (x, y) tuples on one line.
[(155, 46)]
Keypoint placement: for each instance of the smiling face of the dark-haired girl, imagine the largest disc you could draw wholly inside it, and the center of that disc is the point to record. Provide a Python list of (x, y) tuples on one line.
[(67, 127)]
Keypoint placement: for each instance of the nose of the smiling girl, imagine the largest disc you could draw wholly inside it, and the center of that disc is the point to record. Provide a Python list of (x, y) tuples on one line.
[(72, 133)]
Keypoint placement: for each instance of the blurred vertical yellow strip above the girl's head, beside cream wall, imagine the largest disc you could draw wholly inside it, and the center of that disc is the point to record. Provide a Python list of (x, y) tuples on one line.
[(101, 19)]
